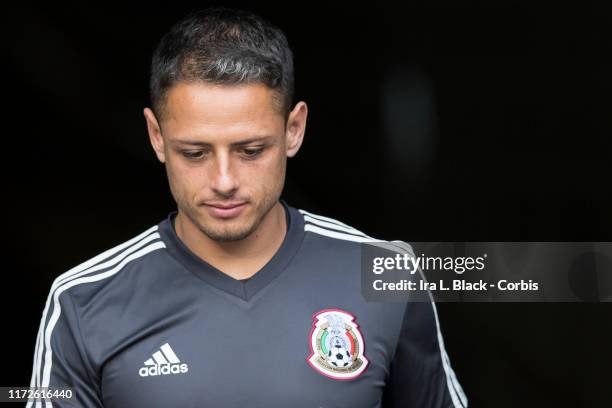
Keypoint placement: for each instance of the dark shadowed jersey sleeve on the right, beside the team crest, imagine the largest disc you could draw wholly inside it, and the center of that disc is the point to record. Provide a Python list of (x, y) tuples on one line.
[(420, 374)]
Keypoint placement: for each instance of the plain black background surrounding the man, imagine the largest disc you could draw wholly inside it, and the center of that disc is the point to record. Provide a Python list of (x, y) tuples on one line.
[(450, 122)]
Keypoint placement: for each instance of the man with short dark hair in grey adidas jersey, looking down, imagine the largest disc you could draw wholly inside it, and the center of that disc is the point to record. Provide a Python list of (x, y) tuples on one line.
[(236, 299)]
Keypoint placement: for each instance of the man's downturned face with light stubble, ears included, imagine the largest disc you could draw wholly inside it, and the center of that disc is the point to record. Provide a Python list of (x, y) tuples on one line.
[(225, 148)]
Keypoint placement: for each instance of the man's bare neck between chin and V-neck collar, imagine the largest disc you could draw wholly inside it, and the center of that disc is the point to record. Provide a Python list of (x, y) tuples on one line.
[(238, 259)]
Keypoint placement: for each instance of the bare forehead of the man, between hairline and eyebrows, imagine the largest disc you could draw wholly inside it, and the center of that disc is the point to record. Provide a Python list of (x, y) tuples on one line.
[(205, 110)]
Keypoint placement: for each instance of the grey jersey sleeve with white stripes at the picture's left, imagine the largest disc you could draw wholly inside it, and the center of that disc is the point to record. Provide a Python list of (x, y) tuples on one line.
[(62, 360)]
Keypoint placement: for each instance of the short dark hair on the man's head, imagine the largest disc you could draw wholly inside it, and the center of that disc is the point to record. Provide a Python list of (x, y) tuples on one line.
[(223, 46)]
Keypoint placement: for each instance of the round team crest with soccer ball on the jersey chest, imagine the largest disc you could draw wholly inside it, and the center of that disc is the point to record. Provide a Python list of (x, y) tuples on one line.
[(336, 345)]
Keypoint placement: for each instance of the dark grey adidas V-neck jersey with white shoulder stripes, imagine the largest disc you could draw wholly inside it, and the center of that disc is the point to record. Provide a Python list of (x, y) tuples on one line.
[(150, 324)]
